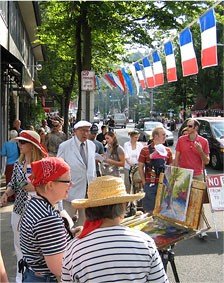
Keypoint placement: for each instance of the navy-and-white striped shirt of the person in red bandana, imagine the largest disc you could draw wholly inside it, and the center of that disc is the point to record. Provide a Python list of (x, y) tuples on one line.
[(42, 233)]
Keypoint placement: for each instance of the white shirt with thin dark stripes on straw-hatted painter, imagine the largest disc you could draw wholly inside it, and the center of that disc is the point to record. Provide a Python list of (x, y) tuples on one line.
[(113, 254)]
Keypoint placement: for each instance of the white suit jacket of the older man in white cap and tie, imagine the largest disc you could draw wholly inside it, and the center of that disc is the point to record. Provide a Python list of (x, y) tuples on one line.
[(81, 176)]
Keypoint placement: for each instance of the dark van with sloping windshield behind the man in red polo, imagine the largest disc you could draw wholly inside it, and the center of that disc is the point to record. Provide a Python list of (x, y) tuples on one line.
[(212, 128)]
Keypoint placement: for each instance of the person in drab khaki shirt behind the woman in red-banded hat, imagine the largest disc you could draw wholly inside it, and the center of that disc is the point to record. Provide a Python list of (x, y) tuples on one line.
[(55, 137)]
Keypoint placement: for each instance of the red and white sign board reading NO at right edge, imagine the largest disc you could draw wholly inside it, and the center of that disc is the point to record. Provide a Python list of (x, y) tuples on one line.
[(215, 186)]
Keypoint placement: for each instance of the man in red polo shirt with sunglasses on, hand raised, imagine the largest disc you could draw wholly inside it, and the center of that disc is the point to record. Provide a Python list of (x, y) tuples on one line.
[(192, 152)]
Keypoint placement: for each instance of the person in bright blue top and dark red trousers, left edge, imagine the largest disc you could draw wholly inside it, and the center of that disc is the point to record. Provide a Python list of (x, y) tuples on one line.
[(11, 151)]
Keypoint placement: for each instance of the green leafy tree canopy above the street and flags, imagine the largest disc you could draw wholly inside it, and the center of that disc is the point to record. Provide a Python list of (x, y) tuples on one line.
[(96, 35)]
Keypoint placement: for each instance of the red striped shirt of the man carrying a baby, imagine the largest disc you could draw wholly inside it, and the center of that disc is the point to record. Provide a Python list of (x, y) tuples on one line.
[(144, 158)]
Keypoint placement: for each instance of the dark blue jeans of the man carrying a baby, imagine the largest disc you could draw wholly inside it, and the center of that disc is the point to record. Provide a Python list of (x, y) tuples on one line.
[(148, 202)]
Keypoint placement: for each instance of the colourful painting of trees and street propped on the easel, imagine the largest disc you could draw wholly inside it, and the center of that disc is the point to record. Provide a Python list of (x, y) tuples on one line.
[(173, 198)]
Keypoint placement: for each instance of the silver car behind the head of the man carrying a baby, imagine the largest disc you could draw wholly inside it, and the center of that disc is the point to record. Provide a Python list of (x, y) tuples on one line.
[(145, 129)]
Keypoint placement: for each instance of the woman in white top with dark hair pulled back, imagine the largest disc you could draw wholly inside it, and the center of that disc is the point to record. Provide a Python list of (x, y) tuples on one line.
[(132, 150)]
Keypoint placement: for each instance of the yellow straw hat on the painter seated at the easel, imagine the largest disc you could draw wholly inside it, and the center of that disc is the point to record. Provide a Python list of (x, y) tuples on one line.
[(106, 190)]
